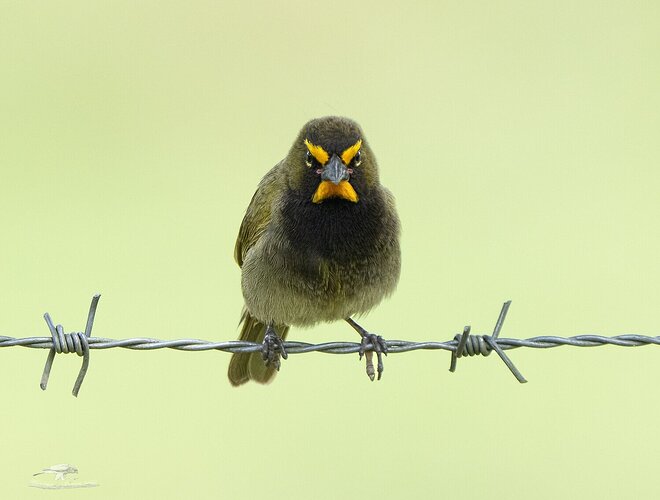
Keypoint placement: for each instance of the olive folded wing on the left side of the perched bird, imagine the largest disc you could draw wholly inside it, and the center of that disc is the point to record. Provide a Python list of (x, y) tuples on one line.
[(258, 214)]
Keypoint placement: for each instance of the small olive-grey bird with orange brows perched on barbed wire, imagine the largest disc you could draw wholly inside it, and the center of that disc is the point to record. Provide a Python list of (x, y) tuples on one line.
[(319, 242)]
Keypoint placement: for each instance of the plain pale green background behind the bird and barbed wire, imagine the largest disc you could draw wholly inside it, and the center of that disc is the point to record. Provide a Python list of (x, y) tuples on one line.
[(521, 140)]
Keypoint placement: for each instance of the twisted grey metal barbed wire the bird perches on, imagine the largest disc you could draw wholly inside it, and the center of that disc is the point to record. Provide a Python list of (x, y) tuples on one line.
[(465, 344)]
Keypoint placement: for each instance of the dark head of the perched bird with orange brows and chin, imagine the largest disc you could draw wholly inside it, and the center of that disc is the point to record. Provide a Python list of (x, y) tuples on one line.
[(331, 159)]
